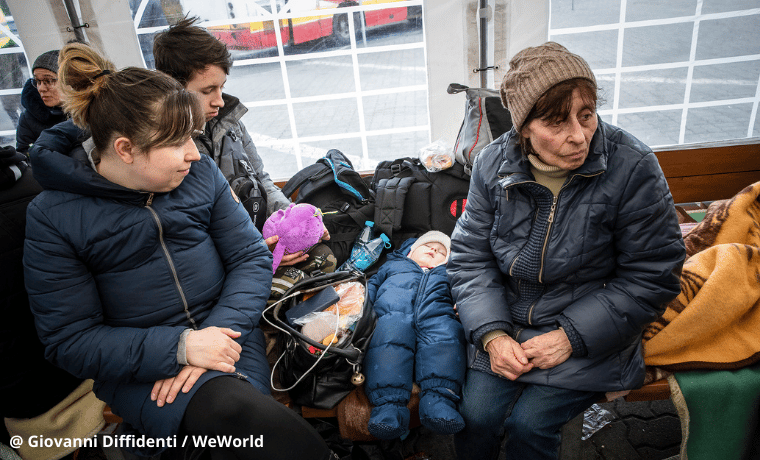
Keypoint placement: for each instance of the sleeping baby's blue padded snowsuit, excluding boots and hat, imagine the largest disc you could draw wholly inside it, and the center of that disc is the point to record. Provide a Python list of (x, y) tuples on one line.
[(417, 337)]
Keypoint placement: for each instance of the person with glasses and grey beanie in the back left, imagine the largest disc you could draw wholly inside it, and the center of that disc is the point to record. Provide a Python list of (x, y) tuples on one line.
[(42, 101)]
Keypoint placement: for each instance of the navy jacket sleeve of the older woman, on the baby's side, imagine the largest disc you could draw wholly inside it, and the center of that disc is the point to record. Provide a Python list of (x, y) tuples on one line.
[(476, 280)]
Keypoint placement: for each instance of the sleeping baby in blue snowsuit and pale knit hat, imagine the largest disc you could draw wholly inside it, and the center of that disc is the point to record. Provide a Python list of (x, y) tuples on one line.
[(418, 338)]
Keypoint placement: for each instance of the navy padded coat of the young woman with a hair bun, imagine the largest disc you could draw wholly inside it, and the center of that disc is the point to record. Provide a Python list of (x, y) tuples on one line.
[(115, 275)]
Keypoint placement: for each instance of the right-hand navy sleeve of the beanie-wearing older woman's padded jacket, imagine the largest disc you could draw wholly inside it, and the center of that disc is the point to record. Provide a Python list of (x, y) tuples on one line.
[(650, 255)]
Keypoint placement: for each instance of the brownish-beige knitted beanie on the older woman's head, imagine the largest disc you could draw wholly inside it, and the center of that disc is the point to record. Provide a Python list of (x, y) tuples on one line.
[(533, 71)]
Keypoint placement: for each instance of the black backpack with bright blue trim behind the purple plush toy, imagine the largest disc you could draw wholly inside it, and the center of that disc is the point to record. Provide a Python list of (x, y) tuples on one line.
[(332, 185)]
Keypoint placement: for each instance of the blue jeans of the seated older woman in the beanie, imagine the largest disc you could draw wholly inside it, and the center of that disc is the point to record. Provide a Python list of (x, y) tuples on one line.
[(531, 417)]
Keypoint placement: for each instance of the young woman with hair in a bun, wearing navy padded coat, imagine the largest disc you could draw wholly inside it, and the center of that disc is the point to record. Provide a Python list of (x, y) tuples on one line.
[(145, 273)]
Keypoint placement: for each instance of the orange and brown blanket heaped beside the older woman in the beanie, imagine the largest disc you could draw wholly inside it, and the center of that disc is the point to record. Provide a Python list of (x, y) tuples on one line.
[(714, 323)]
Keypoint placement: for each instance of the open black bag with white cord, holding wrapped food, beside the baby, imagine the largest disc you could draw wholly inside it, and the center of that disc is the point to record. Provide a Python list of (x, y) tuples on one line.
[(313, 374)]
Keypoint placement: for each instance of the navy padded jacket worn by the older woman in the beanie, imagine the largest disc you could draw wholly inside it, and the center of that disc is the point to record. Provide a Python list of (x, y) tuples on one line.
[(601, 260)]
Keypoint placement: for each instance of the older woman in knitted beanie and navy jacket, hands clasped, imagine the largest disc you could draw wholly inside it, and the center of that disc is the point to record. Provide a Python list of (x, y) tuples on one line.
[(568, 246)]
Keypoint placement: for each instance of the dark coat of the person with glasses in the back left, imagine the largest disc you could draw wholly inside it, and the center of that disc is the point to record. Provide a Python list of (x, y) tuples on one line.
[(36, 118)]
